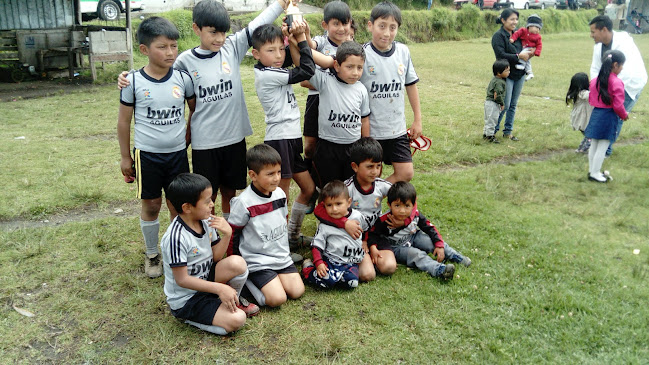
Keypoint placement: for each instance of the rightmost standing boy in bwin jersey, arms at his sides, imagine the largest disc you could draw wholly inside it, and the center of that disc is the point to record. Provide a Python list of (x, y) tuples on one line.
[(387, 72)]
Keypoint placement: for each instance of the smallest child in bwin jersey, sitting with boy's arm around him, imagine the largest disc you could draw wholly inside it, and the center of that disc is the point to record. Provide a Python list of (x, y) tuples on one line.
[(336, 254)]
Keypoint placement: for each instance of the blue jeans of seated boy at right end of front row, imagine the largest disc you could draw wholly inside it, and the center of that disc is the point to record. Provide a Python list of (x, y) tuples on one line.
[(415, 254)]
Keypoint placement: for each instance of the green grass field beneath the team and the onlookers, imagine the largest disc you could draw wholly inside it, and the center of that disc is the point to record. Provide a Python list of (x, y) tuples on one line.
[(554, 280)]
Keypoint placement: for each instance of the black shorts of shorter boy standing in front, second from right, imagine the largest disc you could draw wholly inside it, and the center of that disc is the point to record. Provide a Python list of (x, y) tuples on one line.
[(331, 161)]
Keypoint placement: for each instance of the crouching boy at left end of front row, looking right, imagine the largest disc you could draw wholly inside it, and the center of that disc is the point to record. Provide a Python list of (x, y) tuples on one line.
[(201, 286)]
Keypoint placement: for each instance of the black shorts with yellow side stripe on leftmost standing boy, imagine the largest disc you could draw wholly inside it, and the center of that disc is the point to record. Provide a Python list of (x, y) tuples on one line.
[(154, 171)]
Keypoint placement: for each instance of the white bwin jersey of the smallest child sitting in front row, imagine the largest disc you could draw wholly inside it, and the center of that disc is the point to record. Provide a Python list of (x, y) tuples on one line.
[(337, 245)]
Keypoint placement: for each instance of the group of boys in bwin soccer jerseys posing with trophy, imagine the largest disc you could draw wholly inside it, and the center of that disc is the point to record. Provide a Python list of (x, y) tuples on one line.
[(360, 123)]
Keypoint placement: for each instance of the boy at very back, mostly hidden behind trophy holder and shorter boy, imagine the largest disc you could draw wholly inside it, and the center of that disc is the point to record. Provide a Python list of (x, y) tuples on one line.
[(336, 21)]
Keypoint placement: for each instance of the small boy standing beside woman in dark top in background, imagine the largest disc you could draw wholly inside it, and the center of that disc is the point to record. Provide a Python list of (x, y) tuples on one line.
[(495, 101)]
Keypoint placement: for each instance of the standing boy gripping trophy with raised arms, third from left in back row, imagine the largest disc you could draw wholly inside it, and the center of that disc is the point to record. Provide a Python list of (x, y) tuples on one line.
[(274, 86)]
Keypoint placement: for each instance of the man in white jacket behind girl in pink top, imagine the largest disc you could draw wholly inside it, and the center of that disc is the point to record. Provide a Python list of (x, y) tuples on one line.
[(634, 74)]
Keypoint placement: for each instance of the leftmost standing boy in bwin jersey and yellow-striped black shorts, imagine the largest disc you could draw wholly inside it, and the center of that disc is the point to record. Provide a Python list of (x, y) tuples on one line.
[(156, 96)]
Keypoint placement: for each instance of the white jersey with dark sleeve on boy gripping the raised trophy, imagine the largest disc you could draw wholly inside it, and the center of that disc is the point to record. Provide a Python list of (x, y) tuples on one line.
[(275, 92)]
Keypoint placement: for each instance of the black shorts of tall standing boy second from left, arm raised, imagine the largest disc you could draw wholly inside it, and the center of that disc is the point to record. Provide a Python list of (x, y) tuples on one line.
[(223, 165)]
